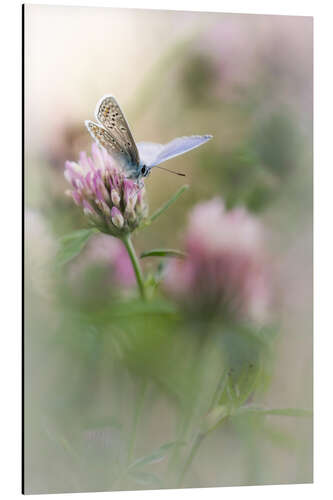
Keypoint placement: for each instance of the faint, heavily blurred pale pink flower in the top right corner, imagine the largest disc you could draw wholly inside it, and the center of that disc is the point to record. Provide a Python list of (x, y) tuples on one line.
[(274, 51)]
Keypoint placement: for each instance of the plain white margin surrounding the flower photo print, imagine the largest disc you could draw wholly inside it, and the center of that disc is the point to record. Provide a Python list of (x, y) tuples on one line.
[(11, 246)]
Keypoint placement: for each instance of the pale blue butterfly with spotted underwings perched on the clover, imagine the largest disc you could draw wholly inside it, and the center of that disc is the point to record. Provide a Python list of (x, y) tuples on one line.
[(137, 159)]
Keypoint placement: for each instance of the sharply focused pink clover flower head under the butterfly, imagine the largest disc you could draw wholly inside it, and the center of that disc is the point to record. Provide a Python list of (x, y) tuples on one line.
[(113, 203)]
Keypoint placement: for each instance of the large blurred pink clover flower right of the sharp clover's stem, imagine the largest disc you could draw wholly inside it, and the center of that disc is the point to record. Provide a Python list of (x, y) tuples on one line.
[(225, 268)]
